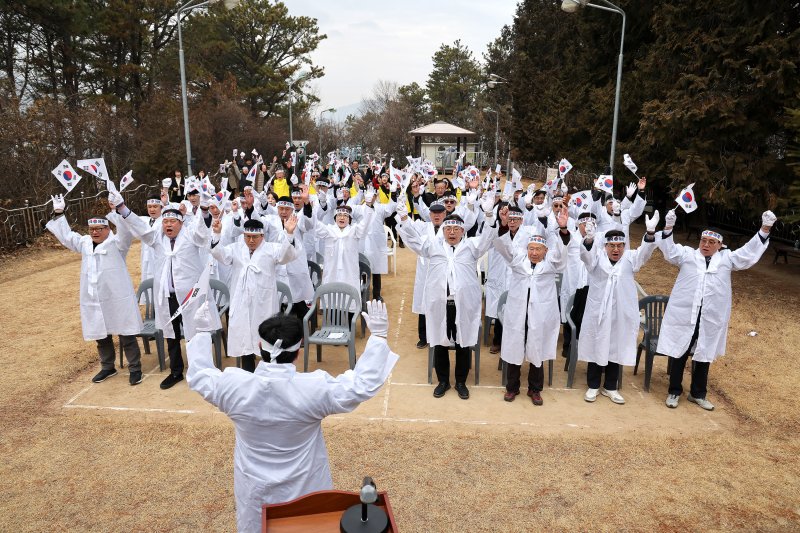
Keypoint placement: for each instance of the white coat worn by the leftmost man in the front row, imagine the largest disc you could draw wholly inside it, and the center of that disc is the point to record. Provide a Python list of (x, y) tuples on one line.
[(107, 300)]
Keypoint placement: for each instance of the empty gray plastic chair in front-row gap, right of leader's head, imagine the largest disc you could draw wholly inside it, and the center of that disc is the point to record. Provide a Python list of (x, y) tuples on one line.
[(337, 328)]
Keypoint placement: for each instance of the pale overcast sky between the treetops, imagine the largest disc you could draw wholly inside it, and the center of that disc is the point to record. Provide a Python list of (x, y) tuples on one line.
[(392, 41)]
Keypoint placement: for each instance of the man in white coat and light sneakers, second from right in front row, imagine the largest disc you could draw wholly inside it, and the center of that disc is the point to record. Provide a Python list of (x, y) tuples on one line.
[(610, 325)]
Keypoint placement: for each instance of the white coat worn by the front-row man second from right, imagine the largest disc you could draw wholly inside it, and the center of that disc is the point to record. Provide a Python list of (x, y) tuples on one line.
[(610, 326)]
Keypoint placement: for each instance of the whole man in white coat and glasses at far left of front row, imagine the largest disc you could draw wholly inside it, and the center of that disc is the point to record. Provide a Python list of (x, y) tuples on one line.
[(107, 300)]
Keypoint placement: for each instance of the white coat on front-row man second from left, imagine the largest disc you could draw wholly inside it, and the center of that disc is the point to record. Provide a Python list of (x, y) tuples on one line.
[(184, 262)]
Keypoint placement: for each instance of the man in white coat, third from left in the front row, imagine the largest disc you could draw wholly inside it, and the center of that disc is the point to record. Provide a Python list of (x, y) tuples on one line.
[(254, 295)]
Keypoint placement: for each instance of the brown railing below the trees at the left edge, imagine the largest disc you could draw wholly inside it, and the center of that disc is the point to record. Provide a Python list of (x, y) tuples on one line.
[(21, 226)]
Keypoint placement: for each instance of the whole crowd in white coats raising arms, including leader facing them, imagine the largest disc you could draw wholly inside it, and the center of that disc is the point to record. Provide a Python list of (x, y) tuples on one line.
[(259, 224)]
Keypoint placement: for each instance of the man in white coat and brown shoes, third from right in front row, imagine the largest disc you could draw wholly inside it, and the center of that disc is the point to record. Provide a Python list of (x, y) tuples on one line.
[(531, 317)]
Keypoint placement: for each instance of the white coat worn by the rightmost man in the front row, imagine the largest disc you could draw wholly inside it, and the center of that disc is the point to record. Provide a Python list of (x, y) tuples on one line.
[(709, 287)]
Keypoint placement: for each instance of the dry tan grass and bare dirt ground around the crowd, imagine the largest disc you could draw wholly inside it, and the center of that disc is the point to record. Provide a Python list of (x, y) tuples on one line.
[(110, 457)]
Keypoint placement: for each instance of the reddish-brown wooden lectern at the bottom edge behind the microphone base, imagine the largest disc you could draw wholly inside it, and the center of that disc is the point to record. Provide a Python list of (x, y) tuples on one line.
[(318, 512)]
